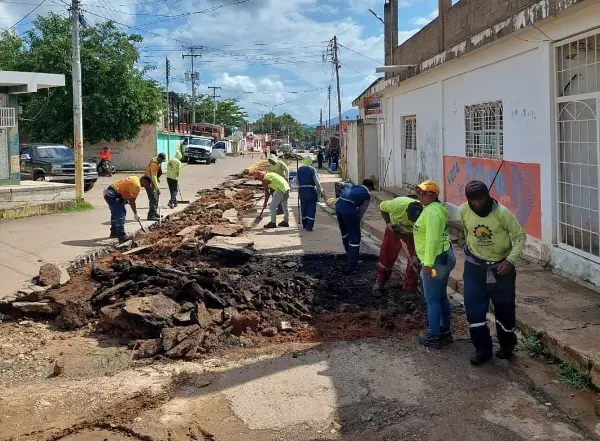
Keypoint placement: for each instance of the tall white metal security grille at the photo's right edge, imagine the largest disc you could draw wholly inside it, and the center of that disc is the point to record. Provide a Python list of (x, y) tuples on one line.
[(577, 64)]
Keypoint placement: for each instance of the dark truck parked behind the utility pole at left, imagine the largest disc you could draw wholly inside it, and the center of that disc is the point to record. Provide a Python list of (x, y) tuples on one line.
[(54, 163)]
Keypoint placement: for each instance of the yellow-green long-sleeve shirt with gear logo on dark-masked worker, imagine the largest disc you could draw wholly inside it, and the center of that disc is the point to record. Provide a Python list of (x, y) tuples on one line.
[(495, 237)]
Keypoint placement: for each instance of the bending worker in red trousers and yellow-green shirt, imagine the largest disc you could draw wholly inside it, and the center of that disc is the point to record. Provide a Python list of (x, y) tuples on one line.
[(400, 215)]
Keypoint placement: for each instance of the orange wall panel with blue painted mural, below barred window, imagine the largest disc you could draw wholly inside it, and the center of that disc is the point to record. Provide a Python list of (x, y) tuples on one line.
[(517, 186)]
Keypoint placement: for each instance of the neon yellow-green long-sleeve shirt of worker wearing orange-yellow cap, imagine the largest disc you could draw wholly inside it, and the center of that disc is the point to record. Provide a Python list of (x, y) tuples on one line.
[(431, 234)]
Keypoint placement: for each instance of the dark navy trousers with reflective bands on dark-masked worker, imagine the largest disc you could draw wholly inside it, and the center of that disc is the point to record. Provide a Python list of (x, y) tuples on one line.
[(478, 293)]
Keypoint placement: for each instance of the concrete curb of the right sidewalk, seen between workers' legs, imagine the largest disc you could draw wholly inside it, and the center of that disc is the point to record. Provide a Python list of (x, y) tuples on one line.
[(557, 349)]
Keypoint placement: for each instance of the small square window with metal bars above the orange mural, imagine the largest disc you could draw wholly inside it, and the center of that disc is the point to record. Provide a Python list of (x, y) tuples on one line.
[(484, 127)]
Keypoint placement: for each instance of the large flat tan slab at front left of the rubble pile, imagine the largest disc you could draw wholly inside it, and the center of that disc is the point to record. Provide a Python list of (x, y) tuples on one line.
[(155, 311)]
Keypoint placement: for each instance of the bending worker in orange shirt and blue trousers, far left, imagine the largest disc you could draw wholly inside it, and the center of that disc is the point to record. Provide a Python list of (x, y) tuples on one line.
[(124, 191)]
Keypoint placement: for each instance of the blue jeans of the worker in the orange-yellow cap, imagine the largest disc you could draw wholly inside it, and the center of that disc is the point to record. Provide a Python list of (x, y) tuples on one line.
[(435, 292)]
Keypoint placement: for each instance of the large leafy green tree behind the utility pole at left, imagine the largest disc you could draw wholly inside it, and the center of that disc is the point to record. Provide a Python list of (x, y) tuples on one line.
[(117, 99)]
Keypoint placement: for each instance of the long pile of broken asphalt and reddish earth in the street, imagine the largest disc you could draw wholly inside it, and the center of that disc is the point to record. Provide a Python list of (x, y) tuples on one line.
[(195, 284)]
